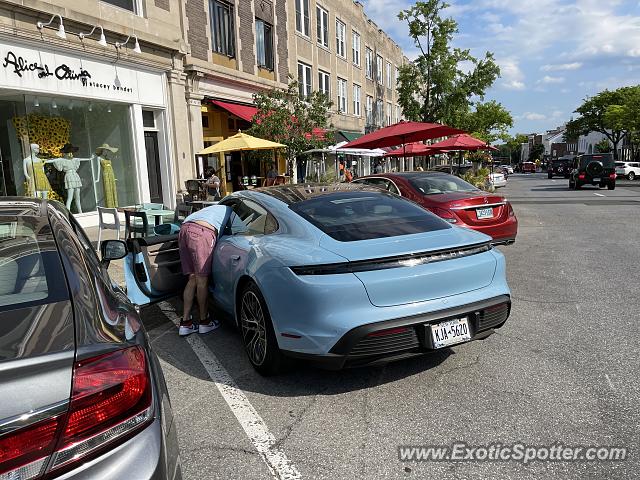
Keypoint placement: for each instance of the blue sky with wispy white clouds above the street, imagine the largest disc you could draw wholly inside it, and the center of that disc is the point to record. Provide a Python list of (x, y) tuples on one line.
[(552, 53)]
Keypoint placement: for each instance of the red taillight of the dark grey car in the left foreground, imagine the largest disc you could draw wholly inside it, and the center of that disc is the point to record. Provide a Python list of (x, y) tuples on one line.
[(110, 400)]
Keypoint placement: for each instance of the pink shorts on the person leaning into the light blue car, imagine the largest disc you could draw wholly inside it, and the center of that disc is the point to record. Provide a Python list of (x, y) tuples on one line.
[(196, 244)]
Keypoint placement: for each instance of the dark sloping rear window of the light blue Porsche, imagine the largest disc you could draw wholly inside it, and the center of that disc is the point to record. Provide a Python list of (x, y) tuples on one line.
[(352, 216)]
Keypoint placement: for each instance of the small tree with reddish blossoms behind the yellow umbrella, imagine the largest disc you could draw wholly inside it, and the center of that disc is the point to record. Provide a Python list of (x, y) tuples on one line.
[(285, 117)]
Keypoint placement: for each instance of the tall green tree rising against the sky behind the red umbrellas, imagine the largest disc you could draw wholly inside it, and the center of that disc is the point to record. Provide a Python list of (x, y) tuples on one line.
[(435, 87)]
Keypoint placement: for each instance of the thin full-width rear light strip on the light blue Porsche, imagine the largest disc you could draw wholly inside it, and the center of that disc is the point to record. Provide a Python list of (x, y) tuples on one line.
[(403, 261)]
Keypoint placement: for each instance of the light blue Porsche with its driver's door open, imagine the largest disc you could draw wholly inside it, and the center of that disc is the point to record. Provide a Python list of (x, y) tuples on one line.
[(343, 275)]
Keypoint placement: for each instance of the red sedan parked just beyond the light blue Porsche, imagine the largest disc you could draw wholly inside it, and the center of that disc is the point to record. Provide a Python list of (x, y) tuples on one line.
[(454, 200)]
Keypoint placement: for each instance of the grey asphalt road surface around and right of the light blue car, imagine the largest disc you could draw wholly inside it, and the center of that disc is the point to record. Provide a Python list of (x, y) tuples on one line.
[(564, 369)]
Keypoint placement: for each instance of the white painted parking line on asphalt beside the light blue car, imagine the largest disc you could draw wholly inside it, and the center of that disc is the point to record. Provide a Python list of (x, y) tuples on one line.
[(250, 420)]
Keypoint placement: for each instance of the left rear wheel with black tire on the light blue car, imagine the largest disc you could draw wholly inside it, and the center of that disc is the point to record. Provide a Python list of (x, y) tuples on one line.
[(257, 332)]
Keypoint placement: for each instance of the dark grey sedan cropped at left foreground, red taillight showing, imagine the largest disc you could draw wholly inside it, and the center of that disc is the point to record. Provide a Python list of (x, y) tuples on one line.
[(82, 392)]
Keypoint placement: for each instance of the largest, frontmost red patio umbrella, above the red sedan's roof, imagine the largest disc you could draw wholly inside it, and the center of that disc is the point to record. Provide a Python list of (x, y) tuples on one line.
[(402, 133)]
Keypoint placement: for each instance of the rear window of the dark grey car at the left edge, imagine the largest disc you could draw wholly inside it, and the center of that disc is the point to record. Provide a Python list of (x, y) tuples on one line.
[(30, 269)]
